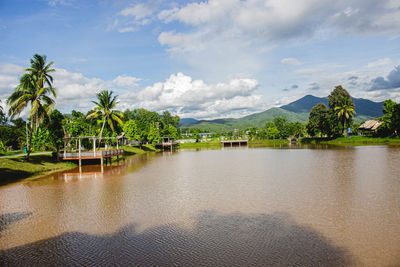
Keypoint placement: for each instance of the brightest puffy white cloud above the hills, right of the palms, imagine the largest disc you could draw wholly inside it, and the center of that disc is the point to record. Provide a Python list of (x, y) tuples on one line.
[(186, 97)]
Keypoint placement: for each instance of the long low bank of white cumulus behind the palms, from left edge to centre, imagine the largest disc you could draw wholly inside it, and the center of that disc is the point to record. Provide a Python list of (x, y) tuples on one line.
[(179, 93)]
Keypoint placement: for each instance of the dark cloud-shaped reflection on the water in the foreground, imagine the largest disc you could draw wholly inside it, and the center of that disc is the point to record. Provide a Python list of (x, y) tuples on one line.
[(215, 239)]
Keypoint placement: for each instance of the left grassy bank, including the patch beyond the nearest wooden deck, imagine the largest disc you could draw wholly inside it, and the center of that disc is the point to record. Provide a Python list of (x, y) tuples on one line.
[(13, 169)]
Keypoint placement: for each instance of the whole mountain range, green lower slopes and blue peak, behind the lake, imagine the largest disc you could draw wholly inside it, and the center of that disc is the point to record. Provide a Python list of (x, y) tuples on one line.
[(294, 111)]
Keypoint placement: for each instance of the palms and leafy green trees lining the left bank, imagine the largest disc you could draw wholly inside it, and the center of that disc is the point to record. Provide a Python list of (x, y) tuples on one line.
[(46, 127)]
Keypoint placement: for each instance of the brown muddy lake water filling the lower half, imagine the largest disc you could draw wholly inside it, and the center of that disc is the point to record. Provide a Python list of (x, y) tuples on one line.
[(283, 207)]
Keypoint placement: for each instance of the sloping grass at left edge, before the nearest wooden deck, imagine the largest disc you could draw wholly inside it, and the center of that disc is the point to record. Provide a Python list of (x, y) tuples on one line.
[(17, 168)]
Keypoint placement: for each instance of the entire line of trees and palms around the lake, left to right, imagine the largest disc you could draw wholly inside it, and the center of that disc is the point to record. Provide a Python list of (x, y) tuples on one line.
[(45, 126)]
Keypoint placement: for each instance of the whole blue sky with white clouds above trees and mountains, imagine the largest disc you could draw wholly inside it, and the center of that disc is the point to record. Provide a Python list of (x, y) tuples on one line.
[(204, 59)]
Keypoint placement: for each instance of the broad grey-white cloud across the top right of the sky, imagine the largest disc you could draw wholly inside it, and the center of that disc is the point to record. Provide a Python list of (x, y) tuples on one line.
[(259, 20)]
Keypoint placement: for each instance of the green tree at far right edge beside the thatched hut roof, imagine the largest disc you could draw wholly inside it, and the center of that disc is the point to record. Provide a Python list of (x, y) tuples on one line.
[(391, 119)]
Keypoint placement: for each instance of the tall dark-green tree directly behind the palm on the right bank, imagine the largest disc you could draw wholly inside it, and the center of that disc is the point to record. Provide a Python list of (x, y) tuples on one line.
[(337, 98)]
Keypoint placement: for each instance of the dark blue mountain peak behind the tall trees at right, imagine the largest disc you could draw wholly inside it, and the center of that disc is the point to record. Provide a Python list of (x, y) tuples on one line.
[(363, 107)]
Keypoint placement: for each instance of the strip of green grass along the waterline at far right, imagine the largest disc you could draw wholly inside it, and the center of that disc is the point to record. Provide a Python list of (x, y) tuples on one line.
[(352, 141)]
